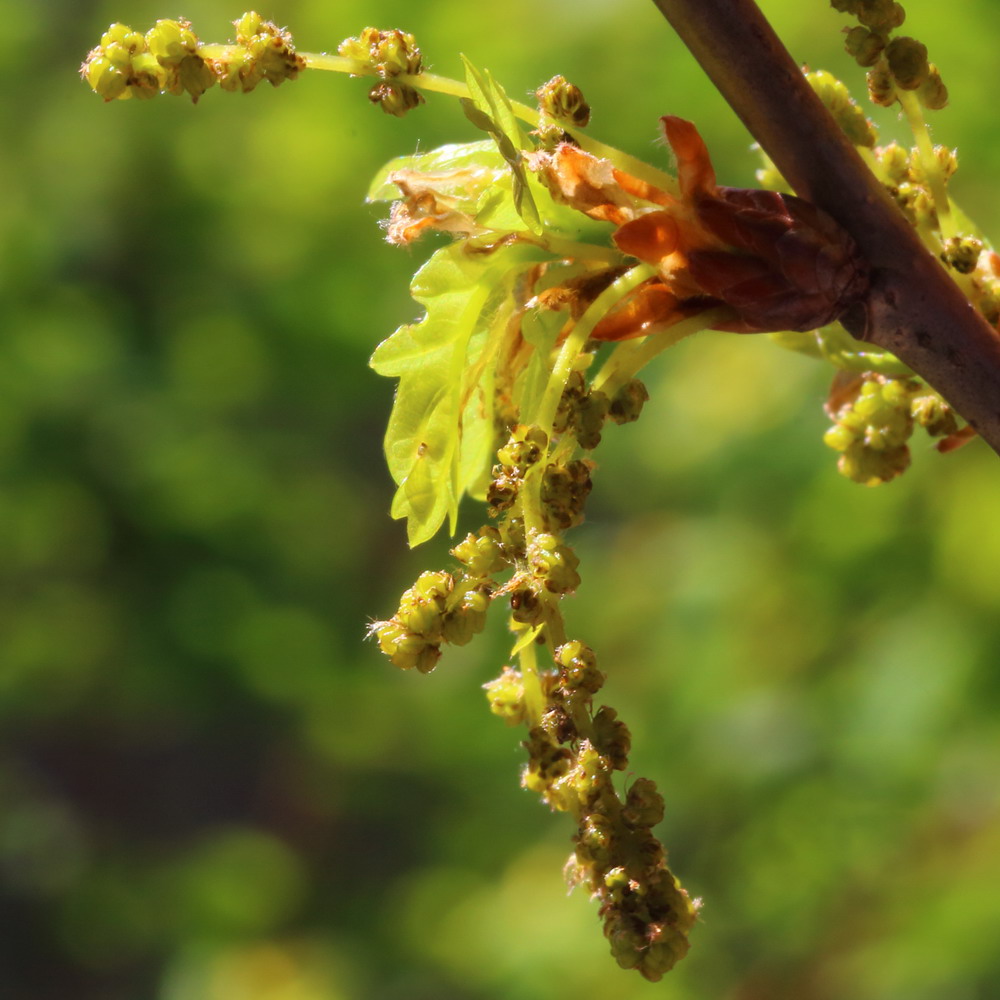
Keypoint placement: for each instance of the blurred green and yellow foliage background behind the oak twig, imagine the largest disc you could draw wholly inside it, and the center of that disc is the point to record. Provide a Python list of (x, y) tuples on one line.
[(211, 788)]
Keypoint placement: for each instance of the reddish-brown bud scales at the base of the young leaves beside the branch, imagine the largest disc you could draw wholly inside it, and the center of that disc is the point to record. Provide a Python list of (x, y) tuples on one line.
[(778, 262)]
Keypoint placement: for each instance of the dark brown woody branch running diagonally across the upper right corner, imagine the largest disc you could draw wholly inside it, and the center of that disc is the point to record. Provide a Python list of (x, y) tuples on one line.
[(913, 308)]
